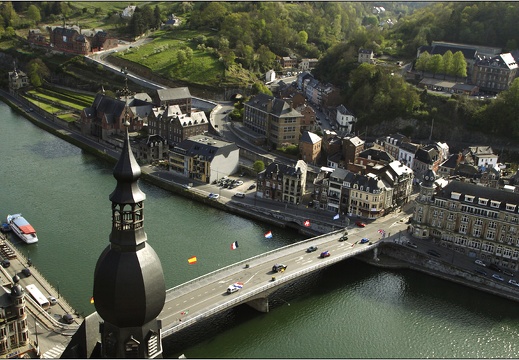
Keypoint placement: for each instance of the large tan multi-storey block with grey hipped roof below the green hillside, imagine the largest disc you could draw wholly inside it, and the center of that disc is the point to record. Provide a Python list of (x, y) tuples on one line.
[(274, 119)]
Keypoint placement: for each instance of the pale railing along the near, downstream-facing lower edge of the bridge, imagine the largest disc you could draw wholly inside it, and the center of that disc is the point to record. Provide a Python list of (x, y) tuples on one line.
[(179, 325)]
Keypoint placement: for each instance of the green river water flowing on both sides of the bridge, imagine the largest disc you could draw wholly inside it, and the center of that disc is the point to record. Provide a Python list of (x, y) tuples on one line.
[(349, 310)]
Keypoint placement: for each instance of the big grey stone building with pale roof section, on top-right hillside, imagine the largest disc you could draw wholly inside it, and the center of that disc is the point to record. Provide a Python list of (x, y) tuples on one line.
[(494, 74)]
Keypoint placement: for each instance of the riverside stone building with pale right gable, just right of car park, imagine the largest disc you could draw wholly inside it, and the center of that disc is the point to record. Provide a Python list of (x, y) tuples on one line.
[(282, 182)]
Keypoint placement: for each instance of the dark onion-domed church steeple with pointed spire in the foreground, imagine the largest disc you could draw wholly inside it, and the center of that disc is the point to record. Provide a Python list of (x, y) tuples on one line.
[(129, 288)]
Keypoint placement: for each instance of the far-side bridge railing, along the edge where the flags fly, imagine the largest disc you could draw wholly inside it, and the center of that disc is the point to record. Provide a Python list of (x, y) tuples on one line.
[(249, 261)]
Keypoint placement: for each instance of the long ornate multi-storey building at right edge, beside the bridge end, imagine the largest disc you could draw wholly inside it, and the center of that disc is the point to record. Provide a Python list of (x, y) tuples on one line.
[(481, 222)]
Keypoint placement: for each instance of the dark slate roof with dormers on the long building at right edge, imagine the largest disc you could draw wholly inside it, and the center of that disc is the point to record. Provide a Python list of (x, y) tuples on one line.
[(478, 191)]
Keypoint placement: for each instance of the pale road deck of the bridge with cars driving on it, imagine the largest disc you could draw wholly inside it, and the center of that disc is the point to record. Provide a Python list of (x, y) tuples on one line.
[(207, 295)]
